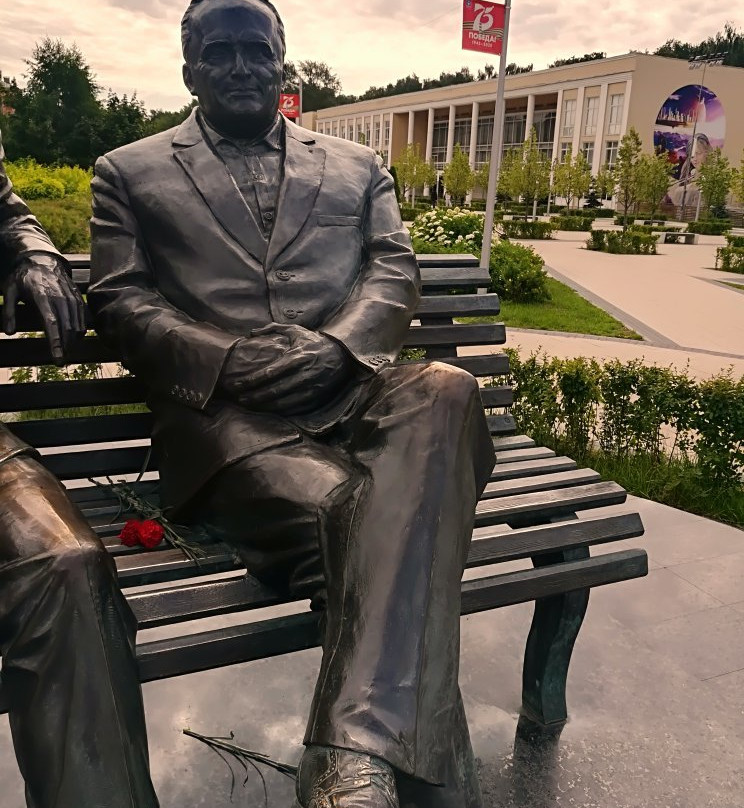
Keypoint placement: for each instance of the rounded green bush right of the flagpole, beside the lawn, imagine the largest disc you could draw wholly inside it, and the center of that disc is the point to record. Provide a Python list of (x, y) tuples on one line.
[(517, 273)]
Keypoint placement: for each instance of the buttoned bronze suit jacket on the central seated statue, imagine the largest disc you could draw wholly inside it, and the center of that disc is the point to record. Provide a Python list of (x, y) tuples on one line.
[(181, 271)]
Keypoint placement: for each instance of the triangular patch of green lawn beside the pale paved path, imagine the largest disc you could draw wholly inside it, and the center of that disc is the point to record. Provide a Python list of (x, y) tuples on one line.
[(566, 311)]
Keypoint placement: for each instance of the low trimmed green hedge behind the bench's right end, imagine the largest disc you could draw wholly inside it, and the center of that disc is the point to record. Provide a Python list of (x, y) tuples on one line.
[(630, 410)]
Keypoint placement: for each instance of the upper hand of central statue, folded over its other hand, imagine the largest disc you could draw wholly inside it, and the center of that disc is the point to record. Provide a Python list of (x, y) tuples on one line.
[(312, 371)]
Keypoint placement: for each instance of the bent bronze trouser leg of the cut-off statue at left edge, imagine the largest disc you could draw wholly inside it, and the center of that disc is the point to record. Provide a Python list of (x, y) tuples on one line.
[(67, 643)]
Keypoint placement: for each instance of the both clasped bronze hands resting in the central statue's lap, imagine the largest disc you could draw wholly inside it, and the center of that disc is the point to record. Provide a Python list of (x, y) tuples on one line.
[(286, 369)]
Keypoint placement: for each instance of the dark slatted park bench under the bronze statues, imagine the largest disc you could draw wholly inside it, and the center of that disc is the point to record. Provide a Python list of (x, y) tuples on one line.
[(527, 512)]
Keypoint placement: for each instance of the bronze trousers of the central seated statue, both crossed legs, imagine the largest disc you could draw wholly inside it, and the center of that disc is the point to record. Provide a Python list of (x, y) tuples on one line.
[(374, 521)]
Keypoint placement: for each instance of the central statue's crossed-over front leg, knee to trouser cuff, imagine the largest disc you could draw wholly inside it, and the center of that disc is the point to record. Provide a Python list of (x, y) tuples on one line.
[(394, 553)]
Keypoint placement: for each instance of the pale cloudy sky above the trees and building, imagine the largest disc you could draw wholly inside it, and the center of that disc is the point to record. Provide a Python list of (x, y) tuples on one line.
[(134, 44)]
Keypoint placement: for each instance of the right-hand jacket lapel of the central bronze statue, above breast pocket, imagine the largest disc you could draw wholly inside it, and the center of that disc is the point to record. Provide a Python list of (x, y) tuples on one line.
[(304, 164)]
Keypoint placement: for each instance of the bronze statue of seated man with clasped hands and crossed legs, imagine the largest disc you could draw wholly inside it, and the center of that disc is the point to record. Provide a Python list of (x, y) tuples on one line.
[(258, 279)]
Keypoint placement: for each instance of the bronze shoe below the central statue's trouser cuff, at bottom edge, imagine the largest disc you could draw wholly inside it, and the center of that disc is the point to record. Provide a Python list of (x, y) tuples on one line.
[(335, 778)]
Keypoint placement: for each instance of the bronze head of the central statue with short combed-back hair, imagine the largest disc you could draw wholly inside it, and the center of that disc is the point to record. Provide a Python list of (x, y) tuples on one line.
[(234, 60)]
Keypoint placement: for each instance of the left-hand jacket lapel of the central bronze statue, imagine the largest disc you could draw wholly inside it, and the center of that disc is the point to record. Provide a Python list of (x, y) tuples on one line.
[(217, 187)]
